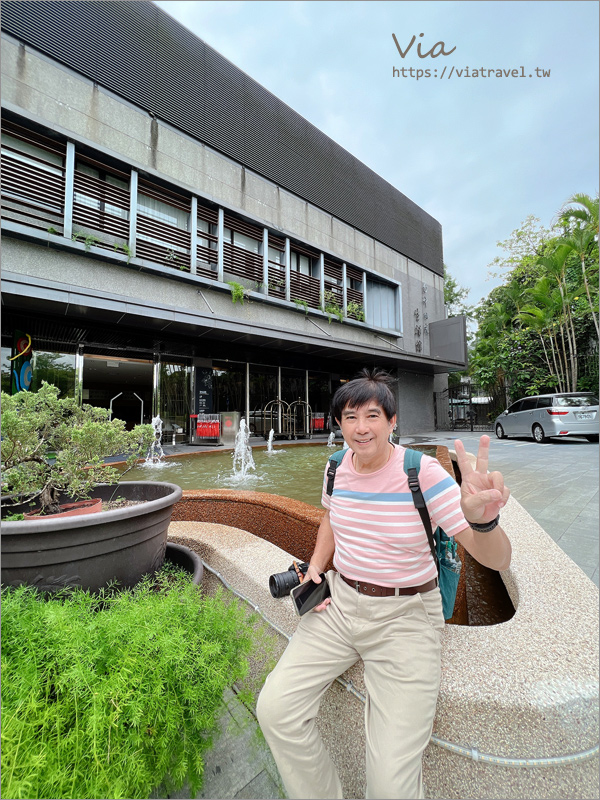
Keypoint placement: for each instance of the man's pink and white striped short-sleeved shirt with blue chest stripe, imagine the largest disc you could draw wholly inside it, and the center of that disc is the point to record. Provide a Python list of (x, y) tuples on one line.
[(379, 536)]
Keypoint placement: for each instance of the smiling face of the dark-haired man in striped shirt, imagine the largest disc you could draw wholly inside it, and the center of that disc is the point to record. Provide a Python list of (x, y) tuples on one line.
[(367, 431)]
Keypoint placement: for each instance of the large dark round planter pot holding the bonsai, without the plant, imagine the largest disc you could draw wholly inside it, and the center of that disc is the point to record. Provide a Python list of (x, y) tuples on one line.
[(92, 550)]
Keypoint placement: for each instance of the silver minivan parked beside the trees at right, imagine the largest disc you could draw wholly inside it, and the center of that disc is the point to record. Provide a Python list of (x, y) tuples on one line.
[(546, 415)]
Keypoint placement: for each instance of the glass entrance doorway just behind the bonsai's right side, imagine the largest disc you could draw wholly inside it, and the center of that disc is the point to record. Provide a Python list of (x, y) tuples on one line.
[(123, 385)]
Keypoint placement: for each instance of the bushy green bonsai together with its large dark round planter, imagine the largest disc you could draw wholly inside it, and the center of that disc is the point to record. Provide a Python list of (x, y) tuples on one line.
[(53, 453)]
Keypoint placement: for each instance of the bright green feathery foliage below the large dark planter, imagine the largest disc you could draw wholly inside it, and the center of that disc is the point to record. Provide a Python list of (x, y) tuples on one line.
[(110, 696)]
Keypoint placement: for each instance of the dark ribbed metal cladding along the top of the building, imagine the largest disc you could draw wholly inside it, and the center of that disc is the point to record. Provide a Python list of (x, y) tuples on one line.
[(141, 54)]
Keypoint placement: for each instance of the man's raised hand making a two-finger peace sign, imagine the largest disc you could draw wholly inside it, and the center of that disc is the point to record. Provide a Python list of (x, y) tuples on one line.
[(483, 493)]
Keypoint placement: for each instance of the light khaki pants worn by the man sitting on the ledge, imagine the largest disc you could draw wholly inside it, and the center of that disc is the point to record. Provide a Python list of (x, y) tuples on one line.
[(399, 641)]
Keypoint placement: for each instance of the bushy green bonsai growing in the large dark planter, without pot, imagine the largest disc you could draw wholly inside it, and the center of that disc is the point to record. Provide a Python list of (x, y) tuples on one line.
[(51, 445)]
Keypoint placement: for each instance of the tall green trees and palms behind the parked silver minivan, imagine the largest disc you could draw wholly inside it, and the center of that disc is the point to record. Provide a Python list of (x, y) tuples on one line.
[(538, 331)]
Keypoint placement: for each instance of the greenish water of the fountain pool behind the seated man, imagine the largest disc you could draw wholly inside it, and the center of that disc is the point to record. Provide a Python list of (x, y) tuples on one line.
[(296, 473)]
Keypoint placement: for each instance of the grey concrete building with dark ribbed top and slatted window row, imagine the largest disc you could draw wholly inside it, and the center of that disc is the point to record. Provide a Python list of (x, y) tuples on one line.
[(176, 240)]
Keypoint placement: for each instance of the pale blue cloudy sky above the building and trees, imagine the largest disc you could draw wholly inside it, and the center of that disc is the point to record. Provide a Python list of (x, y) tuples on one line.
[(478, 152)]
